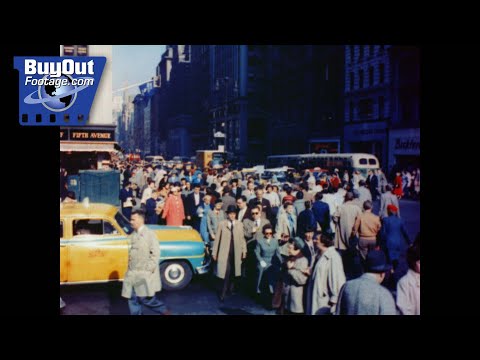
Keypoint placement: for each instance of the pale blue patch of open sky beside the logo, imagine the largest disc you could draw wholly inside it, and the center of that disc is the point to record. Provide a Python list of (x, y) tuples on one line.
[(134, 64)]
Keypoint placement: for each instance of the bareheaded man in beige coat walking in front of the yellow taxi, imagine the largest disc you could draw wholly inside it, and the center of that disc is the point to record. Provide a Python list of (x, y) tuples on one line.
[(142, 279)]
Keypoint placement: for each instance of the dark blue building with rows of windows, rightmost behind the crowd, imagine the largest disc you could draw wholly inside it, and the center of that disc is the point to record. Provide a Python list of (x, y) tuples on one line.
[(382, 103)]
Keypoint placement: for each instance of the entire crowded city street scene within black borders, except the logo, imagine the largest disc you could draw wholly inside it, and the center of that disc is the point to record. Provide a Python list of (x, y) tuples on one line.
[(233, 180)]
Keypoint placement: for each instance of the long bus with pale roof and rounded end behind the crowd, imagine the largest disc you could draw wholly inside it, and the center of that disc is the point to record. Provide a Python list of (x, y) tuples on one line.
[(350, 162)]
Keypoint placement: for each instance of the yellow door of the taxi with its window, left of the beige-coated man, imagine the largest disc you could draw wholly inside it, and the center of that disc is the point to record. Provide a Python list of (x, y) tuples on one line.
[(97, 252)]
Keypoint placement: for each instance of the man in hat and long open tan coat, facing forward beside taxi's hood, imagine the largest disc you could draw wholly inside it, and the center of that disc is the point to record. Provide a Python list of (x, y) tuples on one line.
[(229, 250)]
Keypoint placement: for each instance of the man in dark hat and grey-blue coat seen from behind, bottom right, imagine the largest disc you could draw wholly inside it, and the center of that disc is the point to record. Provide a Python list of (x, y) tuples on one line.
[(365, 295)]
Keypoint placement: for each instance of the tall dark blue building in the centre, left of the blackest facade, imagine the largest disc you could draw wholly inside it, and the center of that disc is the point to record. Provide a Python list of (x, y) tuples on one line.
[(239, 100)]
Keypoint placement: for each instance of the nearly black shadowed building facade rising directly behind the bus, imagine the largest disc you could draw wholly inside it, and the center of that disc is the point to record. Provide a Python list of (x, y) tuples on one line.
[(307, 99)]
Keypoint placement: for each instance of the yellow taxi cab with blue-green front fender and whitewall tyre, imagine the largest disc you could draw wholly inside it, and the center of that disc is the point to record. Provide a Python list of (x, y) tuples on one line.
[(94, 247)]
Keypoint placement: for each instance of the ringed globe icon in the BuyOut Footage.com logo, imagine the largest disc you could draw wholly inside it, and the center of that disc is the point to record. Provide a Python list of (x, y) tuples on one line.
[(52, 92)]
